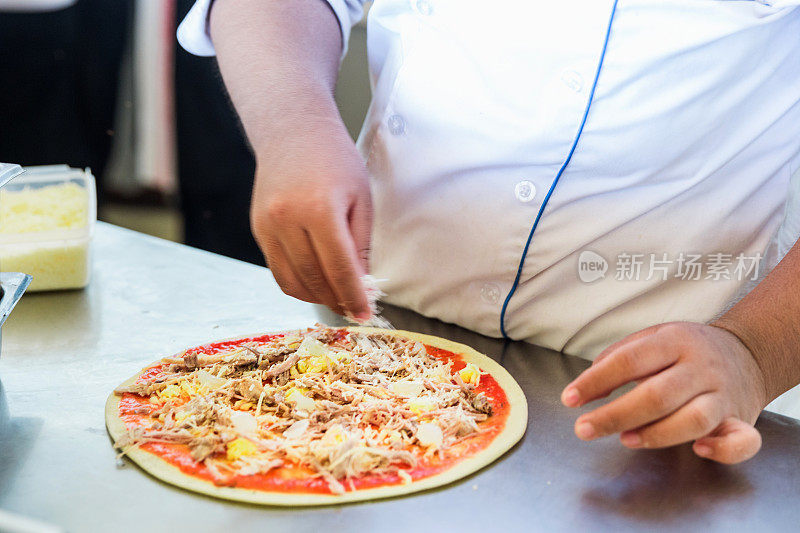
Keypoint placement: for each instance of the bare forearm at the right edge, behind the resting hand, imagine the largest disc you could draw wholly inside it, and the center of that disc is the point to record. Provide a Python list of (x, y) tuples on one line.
[(767, 321)]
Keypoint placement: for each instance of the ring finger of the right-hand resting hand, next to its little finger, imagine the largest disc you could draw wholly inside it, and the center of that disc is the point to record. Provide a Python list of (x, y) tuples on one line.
[(696, 419)]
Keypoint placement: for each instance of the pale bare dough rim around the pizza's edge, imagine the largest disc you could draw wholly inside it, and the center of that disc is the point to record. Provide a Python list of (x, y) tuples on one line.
[(512, 432)]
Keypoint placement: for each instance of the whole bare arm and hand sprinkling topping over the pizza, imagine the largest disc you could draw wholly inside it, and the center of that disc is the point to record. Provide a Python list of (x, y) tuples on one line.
[(311, 205)]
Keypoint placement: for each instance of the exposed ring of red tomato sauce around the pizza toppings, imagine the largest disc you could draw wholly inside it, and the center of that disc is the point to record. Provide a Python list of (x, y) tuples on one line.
[(135, 411)]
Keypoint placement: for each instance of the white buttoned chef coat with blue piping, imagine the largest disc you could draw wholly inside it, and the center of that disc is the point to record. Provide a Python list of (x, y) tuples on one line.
[(684, 144)]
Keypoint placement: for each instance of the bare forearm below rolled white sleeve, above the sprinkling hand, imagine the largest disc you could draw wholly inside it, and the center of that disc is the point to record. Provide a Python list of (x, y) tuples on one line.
[(279, 60)]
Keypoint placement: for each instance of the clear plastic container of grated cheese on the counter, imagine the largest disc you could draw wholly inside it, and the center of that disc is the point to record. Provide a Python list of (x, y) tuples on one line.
[(47, 218)]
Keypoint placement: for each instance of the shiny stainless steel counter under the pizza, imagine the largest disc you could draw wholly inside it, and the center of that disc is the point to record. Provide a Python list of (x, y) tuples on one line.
[(64, 352)]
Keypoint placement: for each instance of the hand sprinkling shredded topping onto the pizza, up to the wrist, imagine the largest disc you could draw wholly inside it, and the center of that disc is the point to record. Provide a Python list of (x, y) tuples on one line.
[(311, 215)]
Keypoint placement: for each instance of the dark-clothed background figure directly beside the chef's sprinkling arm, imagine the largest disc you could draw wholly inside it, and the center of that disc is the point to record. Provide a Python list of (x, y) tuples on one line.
[(215, 163)]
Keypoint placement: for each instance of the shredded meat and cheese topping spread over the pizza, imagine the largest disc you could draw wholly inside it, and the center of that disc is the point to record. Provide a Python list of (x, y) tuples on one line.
[(340, 403)]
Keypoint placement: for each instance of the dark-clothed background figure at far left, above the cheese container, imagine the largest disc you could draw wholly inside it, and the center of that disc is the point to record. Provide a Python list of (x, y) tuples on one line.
[(59, 66)]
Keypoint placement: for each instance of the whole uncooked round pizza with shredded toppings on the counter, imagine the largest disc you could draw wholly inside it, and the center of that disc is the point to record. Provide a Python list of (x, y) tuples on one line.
[(318, 416)]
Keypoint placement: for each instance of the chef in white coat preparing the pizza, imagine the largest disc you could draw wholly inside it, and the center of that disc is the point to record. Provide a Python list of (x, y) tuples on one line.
[(601, 177)]
